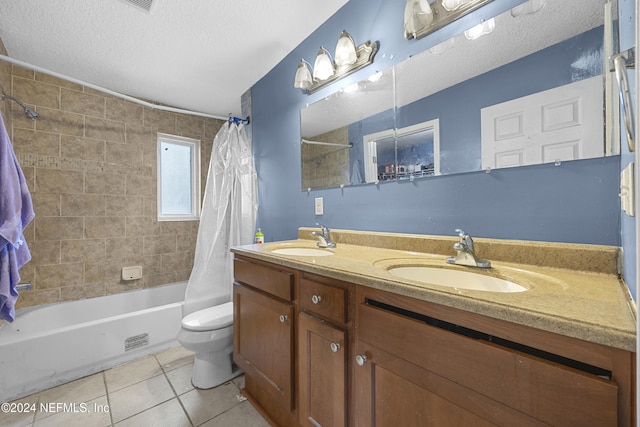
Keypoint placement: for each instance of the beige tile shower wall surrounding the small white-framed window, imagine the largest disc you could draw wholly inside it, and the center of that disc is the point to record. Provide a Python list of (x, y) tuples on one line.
[(90, 162)]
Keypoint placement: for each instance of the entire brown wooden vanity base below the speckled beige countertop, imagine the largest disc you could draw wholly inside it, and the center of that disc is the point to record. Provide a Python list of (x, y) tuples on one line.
[(318, 351)]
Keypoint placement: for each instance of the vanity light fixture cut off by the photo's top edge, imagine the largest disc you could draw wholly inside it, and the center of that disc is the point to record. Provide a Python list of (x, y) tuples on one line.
[(422, 18)]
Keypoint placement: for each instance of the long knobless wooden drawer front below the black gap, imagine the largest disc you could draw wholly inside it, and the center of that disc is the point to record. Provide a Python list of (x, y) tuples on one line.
[(546, 390)]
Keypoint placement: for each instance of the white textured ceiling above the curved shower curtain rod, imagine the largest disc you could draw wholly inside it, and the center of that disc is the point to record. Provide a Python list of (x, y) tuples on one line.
[(200, 55)]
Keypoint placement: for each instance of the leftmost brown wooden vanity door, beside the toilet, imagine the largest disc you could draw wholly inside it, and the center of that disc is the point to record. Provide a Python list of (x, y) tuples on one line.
[(263, 341)]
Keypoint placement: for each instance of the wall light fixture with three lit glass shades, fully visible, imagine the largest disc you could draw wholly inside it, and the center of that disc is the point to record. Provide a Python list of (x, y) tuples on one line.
[(348, 59)]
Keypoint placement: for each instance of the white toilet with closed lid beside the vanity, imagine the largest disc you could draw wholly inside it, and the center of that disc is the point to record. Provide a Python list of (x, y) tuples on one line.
[(209, 334)]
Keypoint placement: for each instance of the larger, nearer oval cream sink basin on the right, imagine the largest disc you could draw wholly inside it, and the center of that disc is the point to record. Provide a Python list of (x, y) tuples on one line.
[(455, 279)]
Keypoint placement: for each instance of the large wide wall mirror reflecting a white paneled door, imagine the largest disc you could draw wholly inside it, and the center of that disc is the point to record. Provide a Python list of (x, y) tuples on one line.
[(458, 106)]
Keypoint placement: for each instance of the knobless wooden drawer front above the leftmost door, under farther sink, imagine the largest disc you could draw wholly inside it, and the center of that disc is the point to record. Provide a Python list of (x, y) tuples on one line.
[(274, 281)]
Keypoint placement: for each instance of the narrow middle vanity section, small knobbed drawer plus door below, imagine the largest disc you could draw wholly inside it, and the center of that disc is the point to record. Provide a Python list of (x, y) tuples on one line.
[(324, 325)]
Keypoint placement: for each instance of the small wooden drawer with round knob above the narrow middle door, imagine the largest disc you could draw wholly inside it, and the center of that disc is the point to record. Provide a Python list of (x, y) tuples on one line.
[(324, 300)]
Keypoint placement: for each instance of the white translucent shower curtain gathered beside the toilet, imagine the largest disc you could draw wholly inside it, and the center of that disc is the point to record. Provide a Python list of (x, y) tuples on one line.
[(227, 219)]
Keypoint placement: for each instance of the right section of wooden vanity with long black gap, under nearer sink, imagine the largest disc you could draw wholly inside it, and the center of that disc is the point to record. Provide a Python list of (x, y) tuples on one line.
[(420, 368)]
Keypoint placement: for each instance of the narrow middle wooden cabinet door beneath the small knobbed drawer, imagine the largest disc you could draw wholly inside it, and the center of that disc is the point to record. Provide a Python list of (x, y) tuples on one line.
[(322, 359)]
